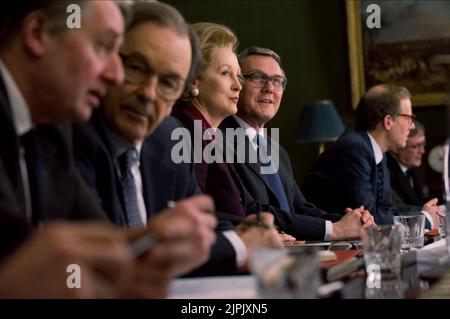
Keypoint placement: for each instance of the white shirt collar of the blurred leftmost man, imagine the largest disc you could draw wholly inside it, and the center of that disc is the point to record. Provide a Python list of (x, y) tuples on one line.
[(20, 111)]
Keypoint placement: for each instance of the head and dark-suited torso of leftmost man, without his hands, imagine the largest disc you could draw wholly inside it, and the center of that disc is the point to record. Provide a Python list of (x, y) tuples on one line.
[(35, 157)]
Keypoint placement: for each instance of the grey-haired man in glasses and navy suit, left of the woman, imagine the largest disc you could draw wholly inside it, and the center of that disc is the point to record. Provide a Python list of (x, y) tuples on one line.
[(134, 116)]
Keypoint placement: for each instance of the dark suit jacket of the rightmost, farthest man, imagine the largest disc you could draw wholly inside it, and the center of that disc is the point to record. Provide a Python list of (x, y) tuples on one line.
[(400, 183)]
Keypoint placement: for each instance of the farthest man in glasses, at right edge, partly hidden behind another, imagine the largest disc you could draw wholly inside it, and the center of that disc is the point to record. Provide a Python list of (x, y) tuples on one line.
[(408, 192)]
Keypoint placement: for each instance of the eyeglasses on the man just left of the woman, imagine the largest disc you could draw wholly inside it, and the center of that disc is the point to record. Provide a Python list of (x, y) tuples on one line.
[(138, 70)]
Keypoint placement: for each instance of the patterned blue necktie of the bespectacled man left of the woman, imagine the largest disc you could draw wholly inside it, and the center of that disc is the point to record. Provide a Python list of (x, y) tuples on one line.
[(126, 162)]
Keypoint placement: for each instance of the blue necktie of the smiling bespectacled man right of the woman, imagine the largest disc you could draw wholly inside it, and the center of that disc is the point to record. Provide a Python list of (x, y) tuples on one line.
[(274, 179)]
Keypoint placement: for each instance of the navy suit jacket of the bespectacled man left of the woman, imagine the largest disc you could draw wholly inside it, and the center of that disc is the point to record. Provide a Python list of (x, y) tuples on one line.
[(162, 179)]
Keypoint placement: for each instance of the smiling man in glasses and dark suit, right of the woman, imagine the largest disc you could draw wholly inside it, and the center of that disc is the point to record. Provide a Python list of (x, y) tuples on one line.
[(259, 102)]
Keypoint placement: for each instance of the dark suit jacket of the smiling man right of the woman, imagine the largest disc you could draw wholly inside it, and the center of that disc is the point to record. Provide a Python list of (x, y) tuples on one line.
[(304, 221)]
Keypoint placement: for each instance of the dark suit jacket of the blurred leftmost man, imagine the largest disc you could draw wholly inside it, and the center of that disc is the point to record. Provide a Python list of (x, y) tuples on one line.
[(59, 190)]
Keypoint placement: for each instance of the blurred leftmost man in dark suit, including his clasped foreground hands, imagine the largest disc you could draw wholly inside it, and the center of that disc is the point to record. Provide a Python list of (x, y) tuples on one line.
[(52, 74)]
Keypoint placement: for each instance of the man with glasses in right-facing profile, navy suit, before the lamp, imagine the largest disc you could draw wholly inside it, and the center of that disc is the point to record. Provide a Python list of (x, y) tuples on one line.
[(353, 170)]
